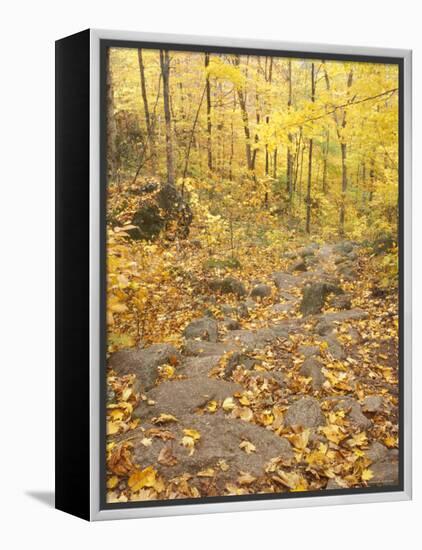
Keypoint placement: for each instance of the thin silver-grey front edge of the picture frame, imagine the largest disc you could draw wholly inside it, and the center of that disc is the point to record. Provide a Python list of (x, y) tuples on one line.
[(96, 513)]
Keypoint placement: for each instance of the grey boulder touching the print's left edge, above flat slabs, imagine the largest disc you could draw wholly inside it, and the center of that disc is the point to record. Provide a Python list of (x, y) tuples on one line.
[(144, 362)]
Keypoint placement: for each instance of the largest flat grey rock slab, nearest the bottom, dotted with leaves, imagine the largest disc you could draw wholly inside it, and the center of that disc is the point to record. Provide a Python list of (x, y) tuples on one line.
[(220, 438)]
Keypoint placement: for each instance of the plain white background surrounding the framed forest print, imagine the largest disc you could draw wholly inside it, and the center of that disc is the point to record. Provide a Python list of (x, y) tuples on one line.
[(27, 271)]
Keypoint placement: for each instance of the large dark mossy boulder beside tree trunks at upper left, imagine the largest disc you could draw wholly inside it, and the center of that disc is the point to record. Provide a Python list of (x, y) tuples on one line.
[(160, 206)]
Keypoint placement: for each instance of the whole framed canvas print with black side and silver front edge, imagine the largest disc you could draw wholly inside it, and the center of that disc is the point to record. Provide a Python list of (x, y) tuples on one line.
[(233, 274)]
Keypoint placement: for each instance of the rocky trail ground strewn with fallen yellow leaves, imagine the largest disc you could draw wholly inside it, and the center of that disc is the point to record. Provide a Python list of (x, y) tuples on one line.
[(278, 380)]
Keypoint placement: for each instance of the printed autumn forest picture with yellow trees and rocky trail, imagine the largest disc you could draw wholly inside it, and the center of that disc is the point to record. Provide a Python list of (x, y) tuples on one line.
[(252, 274)]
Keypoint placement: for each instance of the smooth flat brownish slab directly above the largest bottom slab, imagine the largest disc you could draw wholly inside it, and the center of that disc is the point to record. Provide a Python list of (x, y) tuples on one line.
[(181, 397)]
